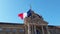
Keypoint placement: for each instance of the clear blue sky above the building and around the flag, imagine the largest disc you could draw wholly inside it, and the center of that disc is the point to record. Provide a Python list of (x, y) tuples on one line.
[(49, 9)]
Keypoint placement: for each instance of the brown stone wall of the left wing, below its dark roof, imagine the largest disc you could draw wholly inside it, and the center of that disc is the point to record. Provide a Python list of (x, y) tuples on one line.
[(12, 29)]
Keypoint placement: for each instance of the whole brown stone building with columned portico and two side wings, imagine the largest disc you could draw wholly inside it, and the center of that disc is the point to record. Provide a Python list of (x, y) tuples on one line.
[(33, 24)]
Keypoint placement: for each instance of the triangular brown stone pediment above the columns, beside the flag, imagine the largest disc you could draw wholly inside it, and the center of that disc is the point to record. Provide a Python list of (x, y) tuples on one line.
[(35, 18)]
